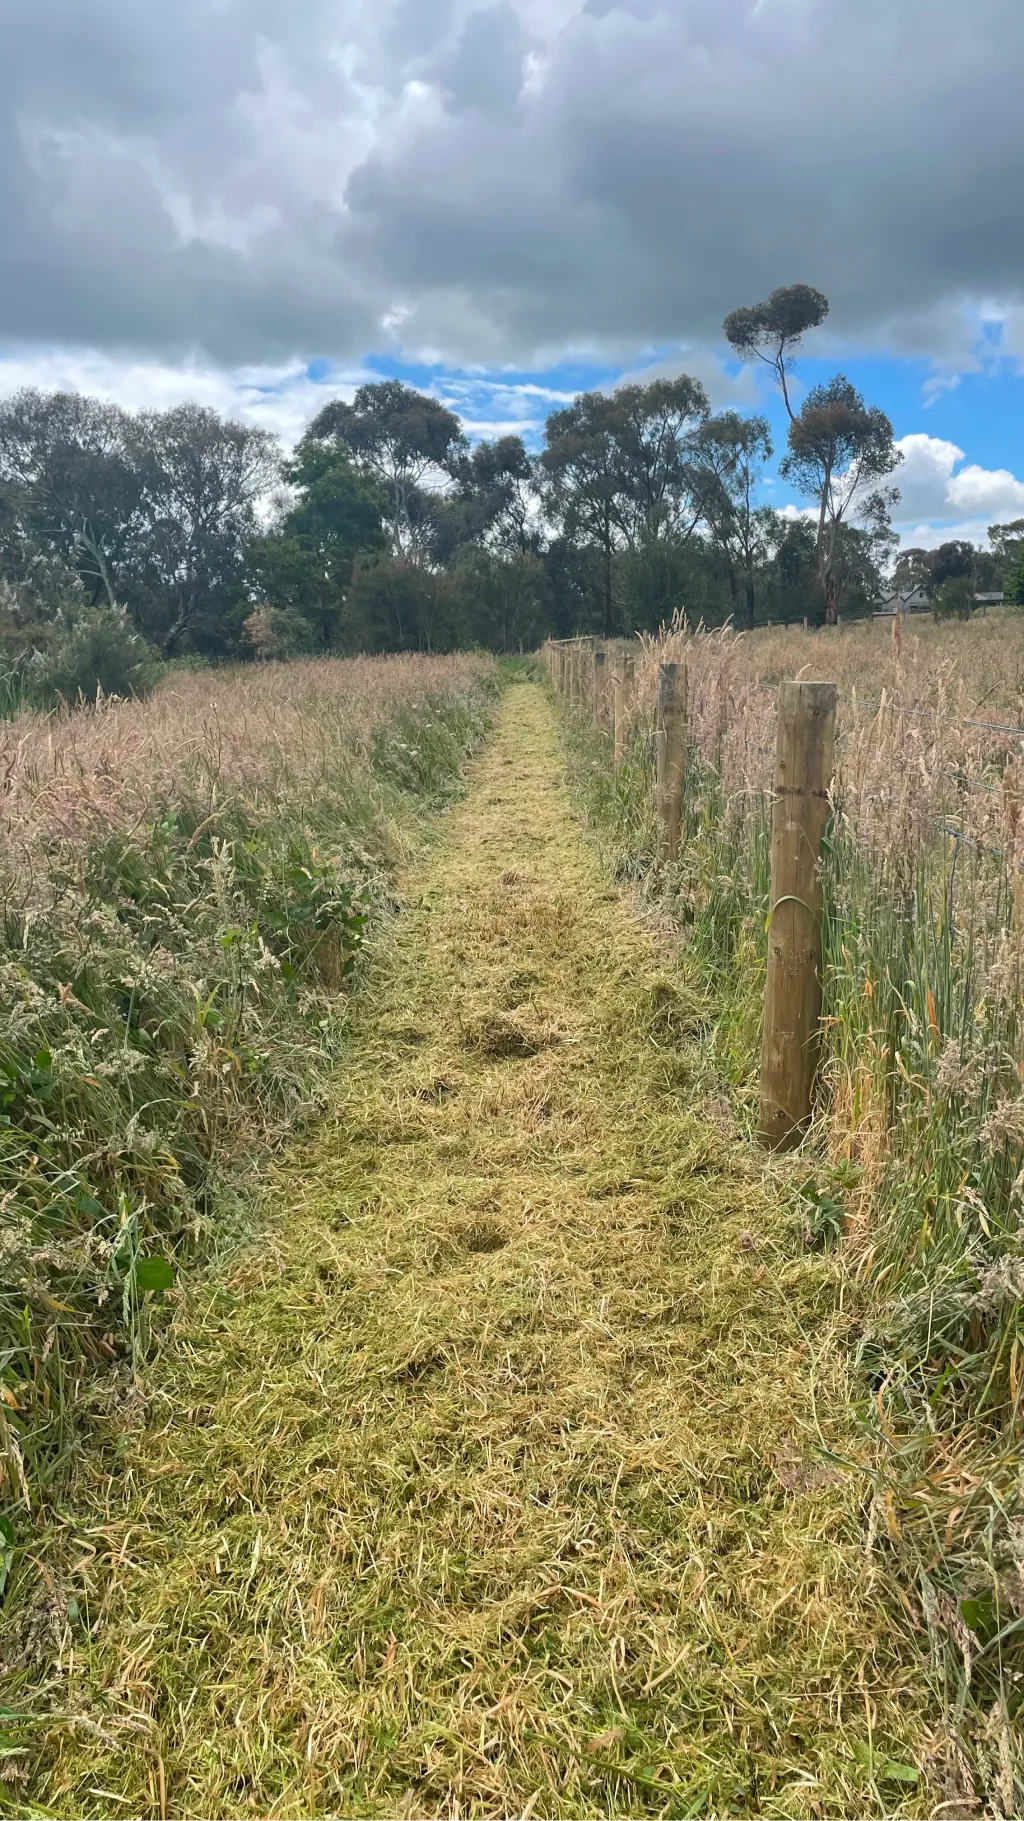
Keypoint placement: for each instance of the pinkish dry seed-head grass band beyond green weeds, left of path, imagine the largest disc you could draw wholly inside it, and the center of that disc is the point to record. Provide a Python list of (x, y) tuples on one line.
[(218, 738)]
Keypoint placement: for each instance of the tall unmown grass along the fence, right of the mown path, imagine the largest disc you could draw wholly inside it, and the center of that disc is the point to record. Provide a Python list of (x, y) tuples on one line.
[(916, 1168)]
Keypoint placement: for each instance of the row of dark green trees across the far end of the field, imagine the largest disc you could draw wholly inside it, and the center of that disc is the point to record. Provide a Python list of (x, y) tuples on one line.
[(139, 536)]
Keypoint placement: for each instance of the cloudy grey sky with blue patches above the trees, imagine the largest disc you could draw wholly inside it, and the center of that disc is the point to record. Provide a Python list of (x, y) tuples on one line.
[(265, 203)]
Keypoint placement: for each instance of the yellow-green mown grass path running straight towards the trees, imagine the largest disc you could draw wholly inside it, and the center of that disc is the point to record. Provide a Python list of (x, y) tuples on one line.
[(491, 1481)]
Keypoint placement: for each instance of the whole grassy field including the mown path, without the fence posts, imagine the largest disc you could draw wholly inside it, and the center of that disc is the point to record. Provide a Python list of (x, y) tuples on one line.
[(515, 1467)]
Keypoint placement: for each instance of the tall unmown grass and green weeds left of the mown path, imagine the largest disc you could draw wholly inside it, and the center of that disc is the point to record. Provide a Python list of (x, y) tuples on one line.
[(185, 890)]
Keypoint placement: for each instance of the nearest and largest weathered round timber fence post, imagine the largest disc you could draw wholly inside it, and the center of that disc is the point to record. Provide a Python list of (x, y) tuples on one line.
[(794, 992)]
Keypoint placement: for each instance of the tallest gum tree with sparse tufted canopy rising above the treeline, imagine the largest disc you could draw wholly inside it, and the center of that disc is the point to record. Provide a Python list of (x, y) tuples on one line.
[(839, 447)]
